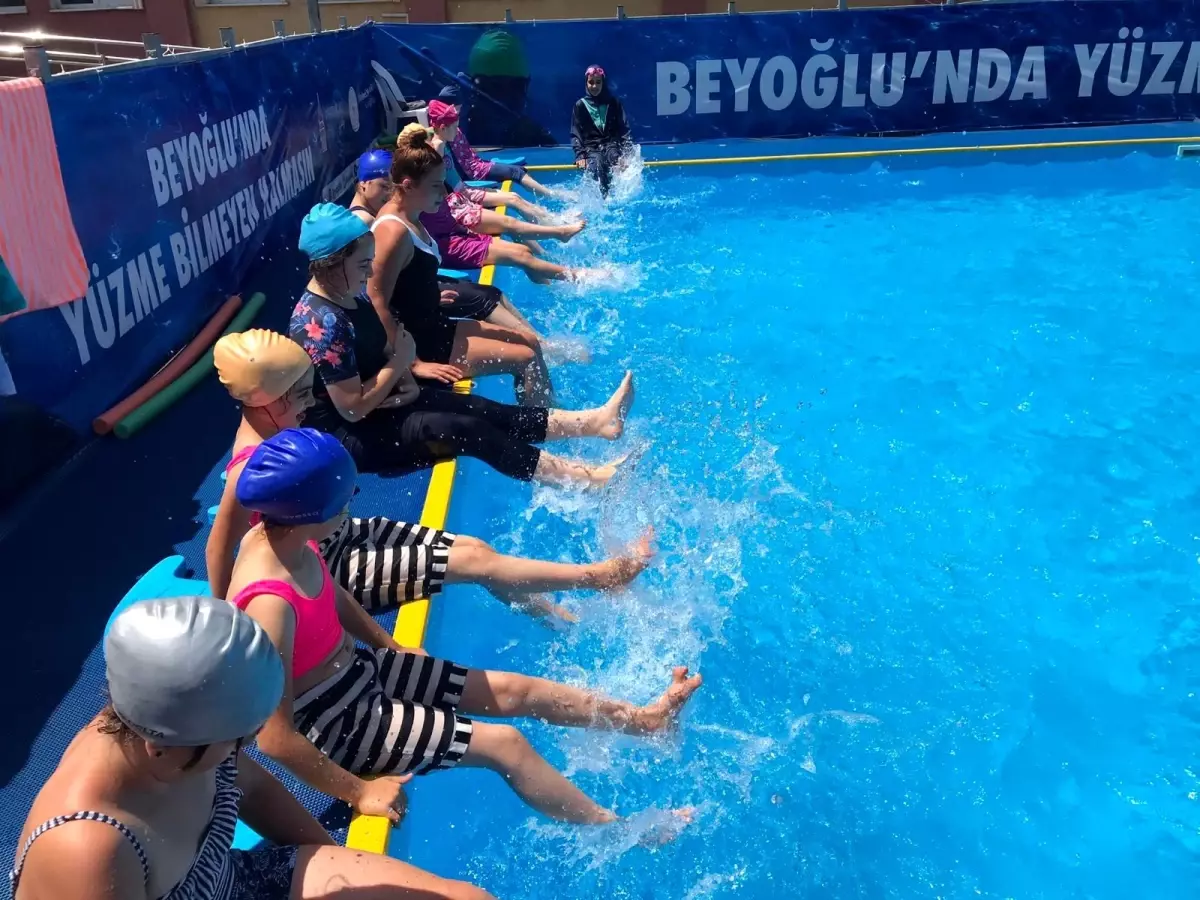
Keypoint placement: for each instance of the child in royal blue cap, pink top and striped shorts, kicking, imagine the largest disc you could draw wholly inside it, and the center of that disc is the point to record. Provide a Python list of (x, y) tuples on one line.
[(389, 711)]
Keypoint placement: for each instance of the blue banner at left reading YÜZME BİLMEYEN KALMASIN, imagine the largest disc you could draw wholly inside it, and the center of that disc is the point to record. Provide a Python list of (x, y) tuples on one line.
[(182, 178)]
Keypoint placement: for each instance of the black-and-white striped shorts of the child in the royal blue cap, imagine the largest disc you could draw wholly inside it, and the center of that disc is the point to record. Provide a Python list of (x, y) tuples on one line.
[(388, 713)]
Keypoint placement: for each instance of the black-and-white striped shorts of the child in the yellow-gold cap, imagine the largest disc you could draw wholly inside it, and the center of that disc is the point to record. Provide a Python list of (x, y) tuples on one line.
[(386, 563)]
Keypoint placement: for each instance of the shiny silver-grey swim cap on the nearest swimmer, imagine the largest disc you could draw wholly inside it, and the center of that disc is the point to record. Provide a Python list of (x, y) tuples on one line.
[(191, 671)]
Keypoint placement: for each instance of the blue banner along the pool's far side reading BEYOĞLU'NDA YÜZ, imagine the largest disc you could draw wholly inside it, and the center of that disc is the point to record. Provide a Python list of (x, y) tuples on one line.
[(914, 69)]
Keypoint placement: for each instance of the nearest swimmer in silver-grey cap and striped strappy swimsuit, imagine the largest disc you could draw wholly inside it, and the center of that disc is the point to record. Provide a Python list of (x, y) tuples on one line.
[(147, 797)]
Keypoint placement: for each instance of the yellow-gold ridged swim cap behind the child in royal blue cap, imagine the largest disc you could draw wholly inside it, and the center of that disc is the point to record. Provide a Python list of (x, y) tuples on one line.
[(260, 367)]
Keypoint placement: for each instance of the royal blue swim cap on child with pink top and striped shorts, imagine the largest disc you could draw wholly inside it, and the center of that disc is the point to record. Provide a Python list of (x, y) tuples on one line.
[(299, 477)]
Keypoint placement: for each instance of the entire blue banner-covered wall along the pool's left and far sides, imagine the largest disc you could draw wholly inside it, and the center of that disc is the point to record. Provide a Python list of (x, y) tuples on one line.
[(271, 128)]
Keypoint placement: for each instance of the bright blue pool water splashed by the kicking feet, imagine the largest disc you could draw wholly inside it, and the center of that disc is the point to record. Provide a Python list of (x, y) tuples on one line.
[(922, 475)]
